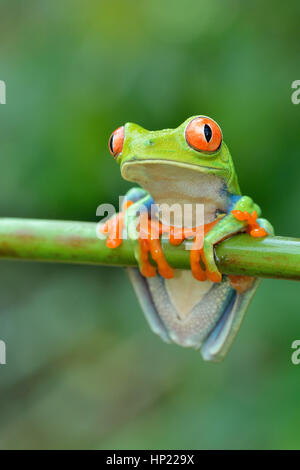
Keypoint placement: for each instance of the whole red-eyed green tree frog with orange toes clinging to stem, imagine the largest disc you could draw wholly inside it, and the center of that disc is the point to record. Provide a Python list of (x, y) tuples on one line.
[(188, 166)]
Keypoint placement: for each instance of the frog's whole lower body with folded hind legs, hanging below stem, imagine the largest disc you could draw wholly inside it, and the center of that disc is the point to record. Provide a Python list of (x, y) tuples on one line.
[(202, 315)]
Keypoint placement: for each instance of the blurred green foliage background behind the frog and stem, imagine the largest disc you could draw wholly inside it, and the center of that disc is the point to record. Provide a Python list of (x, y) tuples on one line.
[(84, 370)]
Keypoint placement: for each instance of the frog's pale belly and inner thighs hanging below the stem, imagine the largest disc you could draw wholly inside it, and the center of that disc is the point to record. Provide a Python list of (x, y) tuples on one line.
[(189, 314)]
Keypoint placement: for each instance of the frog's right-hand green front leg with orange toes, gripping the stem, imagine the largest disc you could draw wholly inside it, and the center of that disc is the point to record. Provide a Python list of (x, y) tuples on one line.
[(243, 217)]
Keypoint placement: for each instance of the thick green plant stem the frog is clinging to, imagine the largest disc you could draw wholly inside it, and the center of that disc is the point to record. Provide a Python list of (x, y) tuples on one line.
[(77, 242)]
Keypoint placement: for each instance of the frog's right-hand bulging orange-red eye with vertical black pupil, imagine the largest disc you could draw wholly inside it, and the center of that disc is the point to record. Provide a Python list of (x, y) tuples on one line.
[(203, 134)]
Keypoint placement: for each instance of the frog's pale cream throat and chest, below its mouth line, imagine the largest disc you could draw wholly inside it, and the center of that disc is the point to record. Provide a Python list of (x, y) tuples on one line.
[(181, 184)]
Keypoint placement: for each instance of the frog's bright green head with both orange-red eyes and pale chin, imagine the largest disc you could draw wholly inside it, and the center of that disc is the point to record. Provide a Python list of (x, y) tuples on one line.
[(194, 148)]
